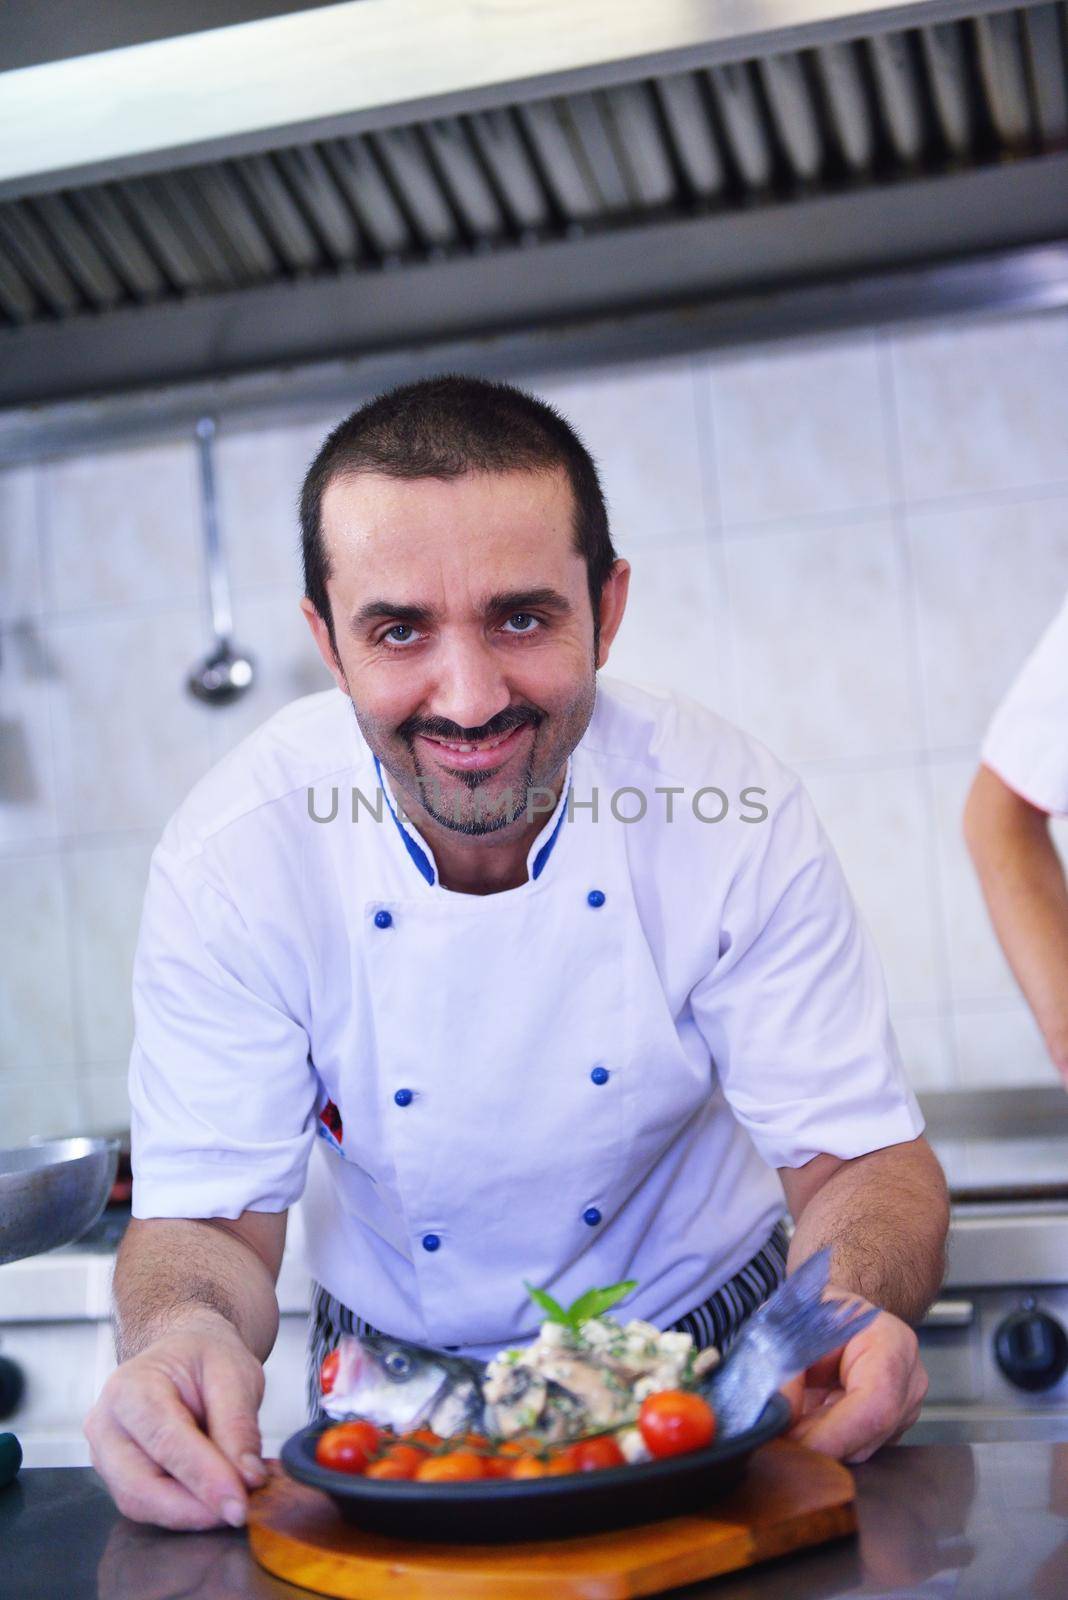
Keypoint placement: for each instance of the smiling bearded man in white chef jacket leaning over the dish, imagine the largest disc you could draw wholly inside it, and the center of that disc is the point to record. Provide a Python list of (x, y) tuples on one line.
[(512, 974)]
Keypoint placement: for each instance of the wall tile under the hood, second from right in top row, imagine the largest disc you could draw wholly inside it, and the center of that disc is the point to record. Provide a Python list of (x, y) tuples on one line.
[(799, 430)]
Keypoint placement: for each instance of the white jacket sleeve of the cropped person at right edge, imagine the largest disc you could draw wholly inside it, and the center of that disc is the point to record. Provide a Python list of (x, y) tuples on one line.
[(1027, 742)]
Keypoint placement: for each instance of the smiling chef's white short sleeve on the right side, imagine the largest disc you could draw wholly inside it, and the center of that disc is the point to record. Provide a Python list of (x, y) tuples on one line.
[(795, 1009)]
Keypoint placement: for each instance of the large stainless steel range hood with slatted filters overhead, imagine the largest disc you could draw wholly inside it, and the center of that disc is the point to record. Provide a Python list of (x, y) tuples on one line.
[(399, 172)]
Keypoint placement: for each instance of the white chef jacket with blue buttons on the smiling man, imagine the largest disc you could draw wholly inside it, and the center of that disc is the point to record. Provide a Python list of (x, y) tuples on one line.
[(578, 1081)]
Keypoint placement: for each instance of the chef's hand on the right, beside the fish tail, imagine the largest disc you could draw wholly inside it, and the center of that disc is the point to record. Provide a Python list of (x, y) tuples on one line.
[(864, 1396)]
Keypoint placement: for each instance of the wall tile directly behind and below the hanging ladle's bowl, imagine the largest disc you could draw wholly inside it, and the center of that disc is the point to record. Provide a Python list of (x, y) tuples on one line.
[(130, 740)]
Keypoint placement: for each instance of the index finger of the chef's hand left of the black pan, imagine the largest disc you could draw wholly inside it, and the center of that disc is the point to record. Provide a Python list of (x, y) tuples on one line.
[(159, 1423)]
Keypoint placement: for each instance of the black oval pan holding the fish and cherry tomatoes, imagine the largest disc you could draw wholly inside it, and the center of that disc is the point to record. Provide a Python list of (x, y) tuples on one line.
[(495, 1511)]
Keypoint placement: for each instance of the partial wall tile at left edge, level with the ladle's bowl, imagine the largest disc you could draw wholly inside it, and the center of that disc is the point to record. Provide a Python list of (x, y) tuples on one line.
[(28, 778)]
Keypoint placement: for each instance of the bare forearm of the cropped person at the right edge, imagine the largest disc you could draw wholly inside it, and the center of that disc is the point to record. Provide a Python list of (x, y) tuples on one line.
[(1027, 897)]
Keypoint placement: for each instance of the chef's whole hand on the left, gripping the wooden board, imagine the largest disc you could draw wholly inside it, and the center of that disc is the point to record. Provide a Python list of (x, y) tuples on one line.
[(175, 1433)]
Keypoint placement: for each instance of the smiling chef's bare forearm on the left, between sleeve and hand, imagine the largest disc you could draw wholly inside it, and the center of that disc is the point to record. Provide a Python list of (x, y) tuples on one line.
[(173, 1273)]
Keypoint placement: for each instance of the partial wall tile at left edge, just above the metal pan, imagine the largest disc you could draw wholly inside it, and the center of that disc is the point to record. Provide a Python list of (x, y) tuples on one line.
[(36, 1012)]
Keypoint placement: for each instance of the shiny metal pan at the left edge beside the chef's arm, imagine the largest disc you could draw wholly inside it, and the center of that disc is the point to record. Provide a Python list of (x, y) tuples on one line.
[(52, 1191)]
